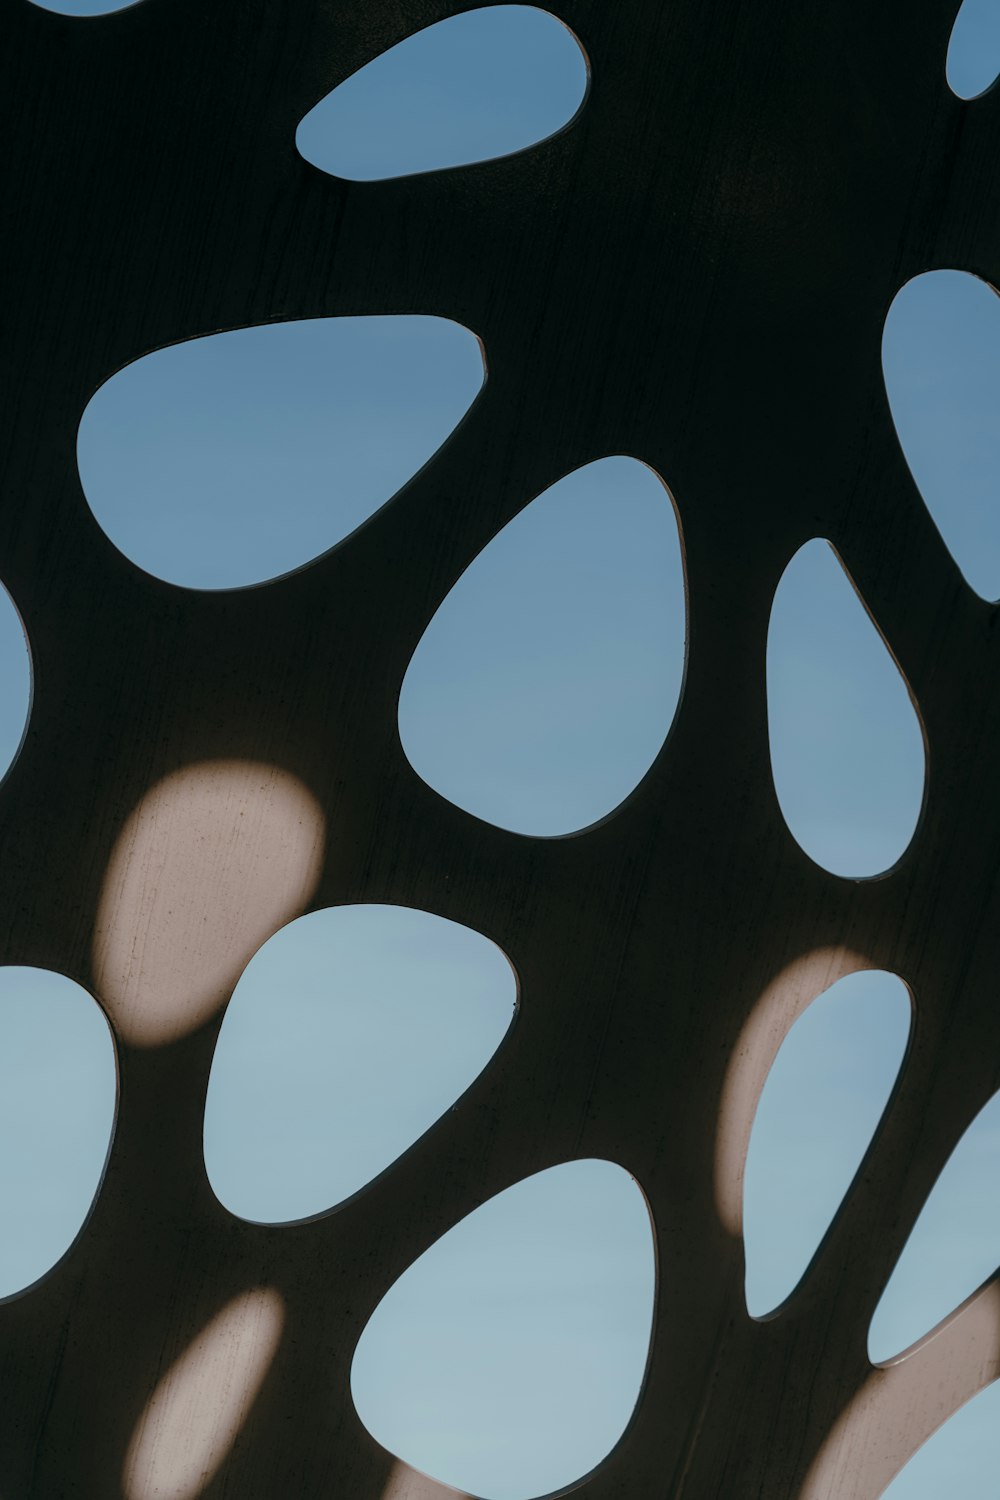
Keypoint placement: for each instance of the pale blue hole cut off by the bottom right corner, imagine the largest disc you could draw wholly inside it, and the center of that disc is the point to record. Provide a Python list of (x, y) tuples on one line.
[(962, 1459)]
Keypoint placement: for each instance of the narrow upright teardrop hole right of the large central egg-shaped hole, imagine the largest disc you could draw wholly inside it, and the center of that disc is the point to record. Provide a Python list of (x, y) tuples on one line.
[(846, 745)]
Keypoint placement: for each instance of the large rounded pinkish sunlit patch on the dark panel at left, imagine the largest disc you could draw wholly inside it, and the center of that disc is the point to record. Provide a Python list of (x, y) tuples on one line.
[(214, 860)]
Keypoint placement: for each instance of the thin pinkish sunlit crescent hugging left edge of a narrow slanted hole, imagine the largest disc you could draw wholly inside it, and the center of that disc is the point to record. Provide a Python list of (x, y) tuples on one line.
[(779, 1007)]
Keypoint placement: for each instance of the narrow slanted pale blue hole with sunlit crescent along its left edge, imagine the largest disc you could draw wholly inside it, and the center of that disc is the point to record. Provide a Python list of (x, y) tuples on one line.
[(818, 1114)]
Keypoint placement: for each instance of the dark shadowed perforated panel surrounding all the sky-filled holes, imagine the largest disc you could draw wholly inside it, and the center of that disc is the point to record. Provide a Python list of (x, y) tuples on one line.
[(696, 272)]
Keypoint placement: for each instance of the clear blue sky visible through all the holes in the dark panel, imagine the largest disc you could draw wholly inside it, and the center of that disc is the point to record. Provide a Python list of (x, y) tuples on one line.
[(241, 457)]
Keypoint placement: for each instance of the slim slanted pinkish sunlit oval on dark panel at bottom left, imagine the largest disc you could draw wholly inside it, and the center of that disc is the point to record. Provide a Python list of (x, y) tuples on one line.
[(202, 1403)]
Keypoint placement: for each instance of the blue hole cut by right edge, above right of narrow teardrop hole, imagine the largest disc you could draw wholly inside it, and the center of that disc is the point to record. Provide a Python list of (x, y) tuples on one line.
[(941, 358)]
